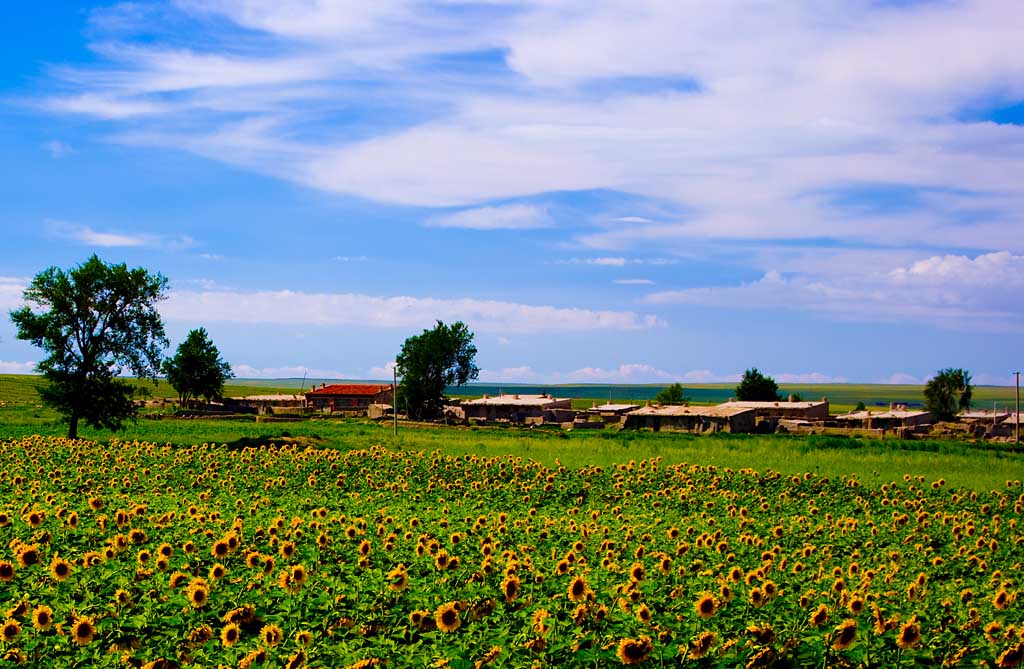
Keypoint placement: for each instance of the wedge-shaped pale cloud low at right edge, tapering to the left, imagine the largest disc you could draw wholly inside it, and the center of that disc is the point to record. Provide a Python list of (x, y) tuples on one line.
[(951, 291)]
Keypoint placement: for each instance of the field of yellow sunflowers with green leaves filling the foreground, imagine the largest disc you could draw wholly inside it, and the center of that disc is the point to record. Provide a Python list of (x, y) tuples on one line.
[(138, 555)]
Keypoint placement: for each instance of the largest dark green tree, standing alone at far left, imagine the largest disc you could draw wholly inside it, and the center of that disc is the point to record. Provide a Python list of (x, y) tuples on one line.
[(96, 322)]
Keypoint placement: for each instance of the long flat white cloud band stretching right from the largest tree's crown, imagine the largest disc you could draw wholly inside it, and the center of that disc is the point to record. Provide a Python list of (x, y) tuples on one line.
[(352, 309)]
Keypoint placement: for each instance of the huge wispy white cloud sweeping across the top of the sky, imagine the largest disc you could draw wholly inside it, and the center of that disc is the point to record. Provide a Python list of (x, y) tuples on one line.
[(742, 115)]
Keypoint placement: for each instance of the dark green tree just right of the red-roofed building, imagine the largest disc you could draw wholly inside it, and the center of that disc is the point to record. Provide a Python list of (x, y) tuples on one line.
[(431, 362)]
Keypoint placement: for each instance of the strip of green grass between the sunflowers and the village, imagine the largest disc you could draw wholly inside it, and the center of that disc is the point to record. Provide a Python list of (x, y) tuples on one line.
[(975, 467)]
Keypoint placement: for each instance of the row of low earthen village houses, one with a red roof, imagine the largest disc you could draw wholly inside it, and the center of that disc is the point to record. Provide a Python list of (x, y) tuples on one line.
[(544, 410)]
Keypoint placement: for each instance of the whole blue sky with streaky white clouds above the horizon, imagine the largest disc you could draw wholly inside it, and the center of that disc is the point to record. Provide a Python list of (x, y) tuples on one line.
[(614, 192)]
